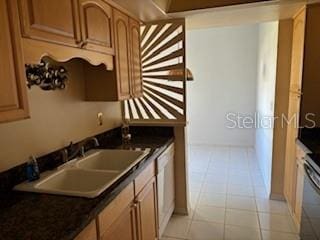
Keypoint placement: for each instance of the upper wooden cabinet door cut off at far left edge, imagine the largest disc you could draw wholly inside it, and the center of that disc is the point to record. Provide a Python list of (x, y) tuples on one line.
[(13, 97)]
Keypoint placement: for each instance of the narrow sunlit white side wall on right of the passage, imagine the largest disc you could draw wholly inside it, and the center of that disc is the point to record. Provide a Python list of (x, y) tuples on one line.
[(267, 61)]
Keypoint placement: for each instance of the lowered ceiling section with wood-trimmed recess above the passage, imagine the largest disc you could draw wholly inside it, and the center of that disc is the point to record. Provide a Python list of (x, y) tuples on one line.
[(214, 13)]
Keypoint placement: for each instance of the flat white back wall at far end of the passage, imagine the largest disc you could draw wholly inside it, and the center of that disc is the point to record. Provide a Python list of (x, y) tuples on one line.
[(224, 65)]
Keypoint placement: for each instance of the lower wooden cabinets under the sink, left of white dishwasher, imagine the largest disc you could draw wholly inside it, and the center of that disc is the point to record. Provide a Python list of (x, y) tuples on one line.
[(132, 215)]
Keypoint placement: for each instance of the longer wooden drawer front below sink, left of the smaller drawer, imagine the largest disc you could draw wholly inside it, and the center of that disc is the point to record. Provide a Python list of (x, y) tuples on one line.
[(114, 210)]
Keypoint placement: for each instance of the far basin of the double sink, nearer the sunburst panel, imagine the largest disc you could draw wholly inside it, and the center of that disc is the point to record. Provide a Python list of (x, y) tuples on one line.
[(111, 160)]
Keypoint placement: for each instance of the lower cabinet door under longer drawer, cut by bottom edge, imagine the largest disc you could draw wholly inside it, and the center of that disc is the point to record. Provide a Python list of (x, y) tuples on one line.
[(124, 228)]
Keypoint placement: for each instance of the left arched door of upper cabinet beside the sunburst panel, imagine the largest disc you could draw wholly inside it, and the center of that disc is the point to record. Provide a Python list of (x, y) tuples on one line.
[(121, 29)]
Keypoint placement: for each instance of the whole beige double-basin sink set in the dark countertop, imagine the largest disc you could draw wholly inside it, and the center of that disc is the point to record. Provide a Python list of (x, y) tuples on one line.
[(88, 176)]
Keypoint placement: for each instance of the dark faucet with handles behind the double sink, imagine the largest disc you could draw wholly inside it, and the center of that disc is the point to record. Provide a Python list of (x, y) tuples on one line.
[(73, 151)]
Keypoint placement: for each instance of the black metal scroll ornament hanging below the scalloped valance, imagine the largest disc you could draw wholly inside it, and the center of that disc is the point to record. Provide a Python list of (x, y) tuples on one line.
[(45, 76)]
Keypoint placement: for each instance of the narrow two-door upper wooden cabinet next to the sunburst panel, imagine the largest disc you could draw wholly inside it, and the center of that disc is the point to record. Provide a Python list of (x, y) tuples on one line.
[(125, 81)]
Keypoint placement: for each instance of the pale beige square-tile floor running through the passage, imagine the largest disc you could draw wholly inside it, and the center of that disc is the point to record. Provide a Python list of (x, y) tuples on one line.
[(229, 200)]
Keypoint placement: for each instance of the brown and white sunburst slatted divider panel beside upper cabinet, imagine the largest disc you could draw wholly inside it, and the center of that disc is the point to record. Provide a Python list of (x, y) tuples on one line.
[(162, 52)]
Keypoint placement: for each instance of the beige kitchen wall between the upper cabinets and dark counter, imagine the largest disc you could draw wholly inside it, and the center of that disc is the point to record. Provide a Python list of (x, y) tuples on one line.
[(57, 117)]
